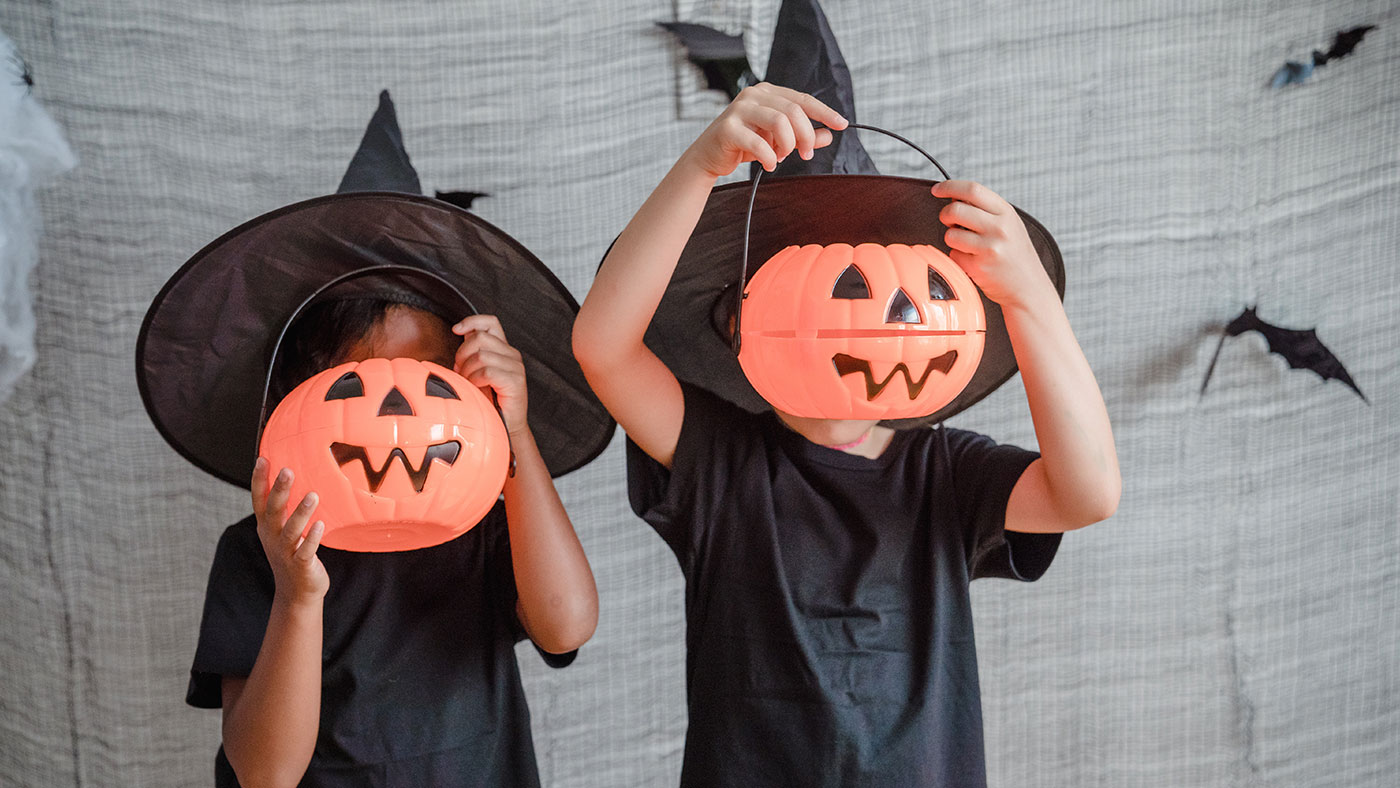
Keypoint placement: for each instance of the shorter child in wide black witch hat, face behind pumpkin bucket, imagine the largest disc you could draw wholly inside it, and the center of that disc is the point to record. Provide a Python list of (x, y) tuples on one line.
[(397, 668)]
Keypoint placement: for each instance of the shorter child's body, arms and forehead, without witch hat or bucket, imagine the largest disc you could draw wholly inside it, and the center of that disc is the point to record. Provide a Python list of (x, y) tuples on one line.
[(404, 632)]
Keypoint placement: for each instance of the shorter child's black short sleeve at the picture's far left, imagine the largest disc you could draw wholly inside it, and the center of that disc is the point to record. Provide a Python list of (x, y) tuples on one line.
[(237, 605)]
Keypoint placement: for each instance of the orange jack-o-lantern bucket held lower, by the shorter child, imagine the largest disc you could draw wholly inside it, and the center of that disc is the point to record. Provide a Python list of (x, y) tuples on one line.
[(404, 454)]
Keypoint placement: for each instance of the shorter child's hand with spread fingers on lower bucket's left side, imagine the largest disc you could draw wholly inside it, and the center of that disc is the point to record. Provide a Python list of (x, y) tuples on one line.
[(295, 565)]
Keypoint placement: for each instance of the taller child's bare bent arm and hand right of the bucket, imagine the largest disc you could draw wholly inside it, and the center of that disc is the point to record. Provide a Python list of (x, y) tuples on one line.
[(1076, 482)]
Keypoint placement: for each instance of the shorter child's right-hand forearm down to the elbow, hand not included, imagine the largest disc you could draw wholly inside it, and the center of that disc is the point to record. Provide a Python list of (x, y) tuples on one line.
[(558, 596)]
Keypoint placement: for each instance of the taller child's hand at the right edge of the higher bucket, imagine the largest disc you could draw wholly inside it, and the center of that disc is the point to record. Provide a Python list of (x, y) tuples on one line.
[(990, 243)]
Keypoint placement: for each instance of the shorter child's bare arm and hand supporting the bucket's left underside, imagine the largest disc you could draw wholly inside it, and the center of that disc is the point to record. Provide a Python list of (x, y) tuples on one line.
[(272, 717)]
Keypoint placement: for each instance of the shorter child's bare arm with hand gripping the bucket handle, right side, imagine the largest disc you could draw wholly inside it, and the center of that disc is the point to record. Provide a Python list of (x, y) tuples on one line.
[(558, 597)]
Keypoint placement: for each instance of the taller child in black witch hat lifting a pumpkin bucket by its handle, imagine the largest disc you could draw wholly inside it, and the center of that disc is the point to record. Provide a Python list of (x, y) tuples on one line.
[(828, 561)]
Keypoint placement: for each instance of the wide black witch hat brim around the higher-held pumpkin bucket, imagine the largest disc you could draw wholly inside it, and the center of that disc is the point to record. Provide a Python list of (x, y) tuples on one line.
[(810, 209)]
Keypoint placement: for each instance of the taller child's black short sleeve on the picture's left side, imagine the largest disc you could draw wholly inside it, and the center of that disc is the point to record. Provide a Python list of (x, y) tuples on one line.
[(667, 499)]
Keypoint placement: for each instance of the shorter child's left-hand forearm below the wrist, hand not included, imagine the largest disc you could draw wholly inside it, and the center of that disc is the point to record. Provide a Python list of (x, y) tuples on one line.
[(271, 726)]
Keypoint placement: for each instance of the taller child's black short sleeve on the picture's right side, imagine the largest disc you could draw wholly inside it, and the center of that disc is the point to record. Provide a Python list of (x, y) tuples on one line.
[(983, 475)]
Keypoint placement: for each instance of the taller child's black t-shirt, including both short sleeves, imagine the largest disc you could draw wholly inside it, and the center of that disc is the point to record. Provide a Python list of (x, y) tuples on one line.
[(828, 625)]
